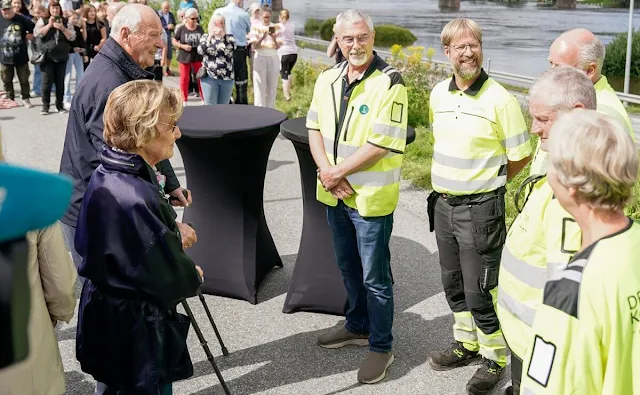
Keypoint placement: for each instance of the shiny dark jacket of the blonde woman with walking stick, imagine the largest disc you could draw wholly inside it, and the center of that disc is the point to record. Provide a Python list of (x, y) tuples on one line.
[(129, 334)]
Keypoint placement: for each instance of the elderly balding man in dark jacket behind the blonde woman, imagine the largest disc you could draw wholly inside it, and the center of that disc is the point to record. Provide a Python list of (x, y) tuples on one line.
[(123, 58)]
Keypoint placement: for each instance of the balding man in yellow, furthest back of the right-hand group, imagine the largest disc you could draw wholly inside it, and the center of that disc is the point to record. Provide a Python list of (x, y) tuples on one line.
[(581, 49)]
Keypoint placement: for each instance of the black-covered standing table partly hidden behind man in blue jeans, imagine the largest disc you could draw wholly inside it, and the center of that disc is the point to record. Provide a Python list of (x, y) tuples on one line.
[(316, 284)]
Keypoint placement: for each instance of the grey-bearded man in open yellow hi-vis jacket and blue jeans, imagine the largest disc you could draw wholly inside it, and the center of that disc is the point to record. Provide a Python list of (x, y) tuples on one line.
[(357, 133)]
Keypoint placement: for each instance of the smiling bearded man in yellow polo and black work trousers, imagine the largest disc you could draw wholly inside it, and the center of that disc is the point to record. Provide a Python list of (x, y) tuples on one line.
[(481, 141)]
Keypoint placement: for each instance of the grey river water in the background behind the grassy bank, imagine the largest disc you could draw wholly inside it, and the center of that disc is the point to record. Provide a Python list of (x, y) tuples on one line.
[(516, 36)]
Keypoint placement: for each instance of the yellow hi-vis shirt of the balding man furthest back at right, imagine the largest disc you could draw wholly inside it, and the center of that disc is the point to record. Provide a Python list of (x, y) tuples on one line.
[(609, 104)]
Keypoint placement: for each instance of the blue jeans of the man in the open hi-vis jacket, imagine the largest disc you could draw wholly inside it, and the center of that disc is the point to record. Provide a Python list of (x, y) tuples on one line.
[(363, 256)]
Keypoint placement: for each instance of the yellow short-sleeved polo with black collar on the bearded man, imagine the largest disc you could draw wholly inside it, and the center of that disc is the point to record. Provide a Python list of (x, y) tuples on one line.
[(476, 133)]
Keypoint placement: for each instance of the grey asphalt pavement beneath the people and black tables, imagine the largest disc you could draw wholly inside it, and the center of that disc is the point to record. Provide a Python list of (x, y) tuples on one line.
[(272, 352)]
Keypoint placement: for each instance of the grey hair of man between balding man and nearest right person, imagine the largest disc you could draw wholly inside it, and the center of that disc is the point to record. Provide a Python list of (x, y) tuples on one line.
[(562, 87)]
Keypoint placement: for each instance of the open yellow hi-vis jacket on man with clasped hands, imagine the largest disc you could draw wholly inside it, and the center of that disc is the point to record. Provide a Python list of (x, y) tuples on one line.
[(371, 110)]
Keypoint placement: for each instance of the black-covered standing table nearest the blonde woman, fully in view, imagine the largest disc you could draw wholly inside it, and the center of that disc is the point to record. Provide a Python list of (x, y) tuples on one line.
[(225, 149)]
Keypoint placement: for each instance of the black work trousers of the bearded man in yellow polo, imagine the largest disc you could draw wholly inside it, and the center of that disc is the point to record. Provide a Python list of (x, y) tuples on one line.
[(470, 237)]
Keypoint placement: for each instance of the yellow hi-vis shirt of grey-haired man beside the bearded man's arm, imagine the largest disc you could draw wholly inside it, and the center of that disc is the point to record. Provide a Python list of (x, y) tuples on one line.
[(539, 244)]
